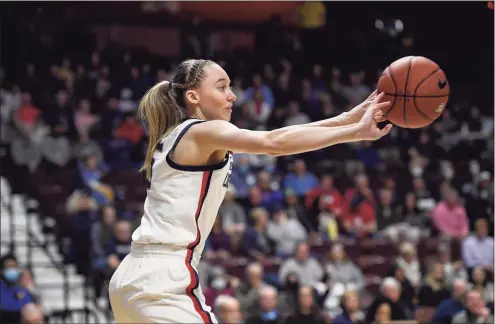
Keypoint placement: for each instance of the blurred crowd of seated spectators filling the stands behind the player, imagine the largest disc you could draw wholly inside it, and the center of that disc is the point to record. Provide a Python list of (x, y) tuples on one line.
[(290, 238)]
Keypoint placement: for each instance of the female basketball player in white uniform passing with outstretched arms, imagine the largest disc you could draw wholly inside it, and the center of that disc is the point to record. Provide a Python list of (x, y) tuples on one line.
[(188, 165)]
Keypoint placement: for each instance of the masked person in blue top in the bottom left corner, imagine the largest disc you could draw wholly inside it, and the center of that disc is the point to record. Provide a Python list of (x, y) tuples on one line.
[(13, 297)]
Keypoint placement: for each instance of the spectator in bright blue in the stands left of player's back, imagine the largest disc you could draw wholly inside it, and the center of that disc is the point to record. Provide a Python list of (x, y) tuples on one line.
[(91, 172)]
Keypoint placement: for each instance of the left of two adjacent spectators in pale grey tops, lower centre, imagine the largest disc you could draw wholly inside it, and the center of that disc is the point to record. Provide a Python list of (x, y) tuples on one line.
[(307, 268)]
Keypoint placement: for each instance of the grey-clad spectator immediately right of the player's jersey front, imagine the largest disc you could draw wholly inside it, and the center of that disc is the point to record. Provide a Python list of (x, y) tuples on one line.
[(232, 215)]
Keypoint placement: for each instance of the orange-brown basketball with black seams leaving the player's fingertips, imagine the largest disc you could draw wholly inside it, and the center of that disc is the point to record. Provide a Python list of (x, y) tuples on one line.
[(417, 89)]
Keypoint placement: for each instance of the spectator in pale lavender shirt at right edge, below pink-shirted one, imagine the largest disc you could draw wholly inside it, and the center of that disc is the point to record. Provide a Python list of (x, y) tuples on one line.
[(477, 249)]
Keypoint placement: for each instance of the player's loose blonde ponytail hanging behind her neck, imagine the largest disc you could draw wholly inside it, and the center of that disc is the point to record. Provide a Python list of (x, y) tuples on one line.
[(160, 111)]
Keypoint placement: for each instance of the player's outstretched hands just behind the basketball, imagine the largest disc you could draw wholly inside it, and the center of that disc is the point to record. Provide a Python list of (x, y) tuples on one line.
[(369, 130)]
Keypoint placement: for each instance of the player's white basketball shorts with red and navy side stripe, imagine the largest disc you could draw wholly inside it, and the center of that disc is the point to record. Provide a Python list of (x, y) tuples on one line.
[(158, 284)]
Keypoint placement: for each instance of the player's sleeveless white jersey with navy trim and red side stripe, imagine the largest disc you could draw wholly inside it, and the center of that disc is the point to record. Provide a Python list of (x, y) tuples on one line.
[(182, 201)]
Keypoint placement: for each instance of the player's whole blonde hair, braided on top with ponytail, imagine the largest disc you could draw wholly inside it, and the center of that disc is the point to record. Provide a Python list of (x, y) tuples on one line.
[(163, 106)]
